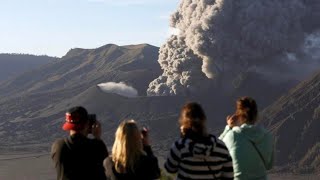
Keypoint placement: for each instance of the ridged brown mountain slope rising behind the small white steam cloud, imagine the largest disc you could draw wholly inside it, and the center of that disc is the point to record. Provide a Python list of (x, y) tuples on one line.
[(107, 63)]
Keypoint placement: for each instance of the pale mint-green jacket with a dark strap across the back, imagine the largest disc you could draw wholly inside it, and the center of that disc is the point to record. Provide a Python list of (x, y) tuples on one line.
[(247, 163)]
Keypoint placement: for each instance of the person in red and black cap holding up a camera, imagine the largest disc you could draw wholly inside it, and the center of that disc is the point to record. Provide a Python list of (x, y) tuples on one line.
[(78, 157)]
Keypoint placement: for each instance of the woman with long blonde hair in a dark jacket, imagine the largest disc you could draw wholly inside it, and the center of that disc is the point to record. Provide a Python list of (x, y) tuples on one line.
[(132, 157)]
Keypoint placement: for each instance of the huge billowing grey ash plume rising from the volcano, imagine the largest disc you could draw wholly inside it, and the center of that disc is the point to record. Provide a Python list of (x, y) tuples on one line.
[(218, 35)]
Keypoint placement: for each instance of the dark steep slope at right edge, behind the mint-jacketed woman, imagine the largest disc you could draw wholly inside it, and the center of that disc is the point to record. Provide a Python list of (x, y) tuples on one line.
[(294, 120)]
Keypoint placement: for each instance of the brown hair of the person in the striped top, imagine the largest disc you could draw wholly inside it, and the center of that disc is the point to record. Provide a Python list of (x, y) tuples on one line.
[(192, 118)]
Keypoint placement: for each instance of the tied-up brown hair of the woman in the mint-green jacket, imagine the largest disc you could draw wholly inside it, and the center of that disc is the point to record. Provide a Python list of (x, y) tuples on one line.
[(247, 109)]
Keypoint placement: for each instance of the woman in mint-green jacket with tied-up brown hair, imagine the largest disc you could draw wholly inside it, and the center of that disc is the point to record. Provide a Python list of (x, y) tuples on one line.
[(250, 146)]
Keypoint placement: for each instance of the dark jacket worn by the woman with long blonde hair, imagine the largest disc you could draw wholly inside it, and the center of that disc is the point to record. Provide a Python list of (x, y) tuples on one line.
[(147, 168)]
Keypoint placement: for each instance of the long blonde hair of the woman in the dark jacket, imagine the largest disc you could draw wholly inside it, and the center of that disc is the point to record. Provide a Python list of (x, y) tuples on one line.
[(127, 147)]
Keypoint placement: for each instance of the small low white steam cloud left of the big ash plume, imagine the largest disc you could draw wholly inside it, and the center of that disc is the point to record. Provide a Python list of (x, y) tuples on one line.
[(118, 88)]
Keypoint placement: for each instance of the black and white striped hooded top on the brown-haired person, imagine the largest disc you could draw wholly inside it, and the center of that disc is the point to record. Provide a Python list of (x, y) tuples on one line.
[(201, 159)]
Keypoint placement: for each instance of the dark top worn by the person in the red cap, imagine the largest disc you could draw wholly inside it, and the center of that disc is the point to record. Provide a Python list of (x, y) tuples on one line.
[(79, 158)]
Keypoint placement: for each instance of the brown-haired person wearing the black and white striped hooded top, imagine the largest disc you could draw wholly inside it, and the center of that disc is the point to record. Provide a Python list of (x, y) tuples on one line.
[(197, 154)]
